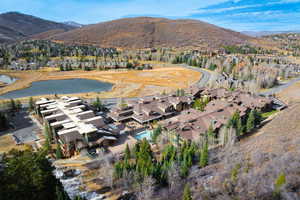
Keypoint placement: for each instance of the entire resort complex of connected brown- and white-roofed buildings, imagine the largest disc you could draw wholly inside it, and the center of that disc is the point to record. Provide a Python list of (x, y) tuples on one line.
[(76, 126)]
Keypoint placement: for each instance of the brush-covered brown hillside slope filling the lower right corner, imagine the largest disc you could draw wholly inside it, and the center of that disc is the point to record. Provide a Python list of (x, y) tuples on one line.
[(263, 166)]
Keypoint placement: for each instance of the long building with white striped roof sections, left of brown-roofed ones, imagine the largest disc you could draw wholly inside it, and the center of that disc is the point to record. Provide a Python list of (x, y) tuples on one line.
[(74, 125)]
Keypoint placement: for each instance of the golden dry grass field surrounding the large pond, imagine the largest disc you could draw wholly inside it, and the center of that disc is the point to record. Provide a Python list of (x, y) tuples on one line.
[(131, 83)]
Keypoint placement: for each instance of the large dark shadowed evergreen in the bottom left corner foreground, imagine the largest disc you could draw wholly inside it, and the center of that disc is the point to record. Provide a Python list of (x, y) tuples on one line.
[(29, 175)]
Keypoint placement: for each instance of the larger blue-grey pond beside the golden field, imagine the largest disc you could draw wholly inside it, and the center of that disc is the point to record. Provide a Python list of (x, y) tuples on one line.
[(68, 86)]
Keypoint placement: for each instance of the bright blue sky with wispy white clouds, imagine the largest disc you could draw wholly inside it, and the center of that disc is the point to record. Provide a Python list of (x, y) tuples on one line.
[(240, 15)]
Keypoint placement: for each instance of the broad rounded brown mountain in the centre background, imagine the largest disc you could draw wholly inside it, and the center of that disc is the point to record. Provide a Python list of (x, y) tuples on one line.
[(147, 32)]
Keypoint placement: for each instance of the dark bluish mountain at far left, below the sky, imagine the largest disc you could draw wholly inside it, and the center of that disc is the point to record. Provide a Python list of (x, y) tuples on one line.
[(15, 26)]
